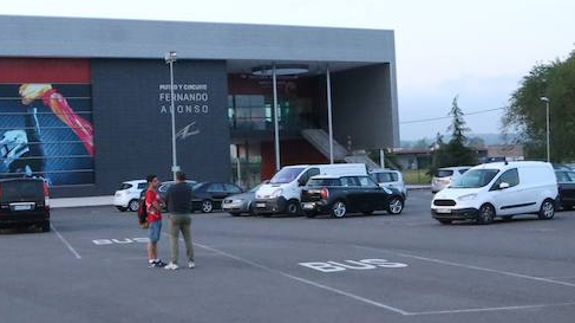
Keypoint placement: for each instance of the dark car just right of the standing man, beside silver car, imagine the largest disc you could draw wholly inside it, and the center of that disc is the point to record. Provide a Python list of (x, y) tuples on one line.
[(208, 196)]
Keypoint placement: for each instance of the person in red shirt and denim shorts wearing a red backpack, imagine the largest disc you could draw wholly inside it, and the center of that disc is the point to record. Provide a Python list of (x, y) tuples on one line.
[(154, 208)]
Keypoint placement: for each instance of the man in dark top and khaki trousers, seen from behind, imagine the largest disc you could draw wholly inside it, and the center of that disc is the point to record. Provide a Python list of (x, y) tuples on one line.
[(179, 201)]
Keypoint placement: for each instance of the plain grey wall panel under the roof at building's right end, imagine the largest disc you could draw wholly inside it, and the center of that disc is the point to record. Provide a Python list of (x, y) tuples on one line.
[(363, 108)]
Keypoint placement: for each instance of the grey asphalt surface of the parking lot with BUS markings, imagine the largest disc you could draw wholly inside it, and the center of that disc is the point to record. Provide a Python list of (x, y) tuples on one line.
[(379, 268)]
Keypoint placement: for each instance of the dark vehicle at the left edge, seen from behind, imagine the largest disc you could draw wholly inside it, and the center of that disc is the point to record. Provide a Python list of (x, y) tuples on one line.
[(24, 202)]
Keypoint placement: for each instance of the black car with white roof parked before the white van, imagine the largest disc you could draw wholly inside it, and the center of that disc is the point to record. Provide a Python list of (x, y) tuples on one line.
[(340, 195)]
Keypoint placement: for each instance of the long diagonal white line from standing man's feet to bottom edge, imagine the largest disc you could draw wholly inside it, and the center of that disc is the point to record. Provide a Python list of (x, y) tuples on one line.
[(306, 281)]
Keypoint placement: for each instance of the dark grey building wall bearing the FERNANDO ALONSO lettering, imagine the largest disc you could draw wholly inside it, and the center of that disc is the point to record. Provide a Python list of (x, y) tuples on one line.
[(132, 132)]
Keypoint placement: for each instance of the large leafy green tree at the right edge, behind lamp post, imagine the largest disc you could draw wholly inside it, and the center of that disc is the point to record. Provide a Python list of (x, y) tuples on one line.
[(526, 112)]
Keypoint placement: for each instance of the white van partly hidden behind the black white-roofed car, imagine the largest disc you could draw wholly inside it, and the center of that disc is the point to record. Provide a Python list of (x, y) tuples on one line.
[(283, 192)]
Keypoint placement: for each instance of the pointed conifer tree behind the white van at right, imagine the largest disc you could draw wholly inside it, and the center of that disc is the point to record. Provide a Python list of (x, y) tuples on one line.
[(455, 152)]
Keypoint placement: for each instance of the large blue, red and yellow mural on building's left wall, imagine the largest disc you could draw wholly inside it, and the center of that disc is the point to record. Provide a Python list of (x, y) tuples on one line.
[(46, 131)]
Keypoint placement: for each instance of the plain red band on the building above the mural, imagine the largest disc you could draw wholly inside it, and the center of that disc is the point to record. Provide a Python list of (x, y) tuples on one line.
[(44, 70)]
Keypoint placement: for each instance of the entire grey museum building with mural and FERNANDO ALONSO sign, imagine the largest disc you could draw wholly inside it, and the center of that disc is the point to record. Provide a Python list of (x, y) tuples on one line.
[(85, 103)]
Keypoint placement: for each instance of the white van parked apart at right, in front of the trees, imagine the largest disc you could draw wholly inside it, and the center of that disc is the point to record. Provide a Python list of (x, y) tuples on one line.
[(501, 189)]
